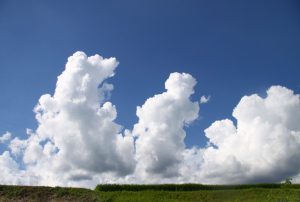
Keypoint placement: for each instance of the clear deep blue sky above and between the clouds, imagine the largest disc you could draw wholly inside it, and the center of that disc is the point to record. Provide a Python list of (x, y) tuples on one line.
[(232, 48)]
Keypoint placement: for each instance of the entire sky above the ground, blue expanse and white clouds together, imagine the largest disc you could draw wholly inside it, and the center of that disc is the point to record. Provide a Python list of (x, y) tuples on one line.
[(222, 50)]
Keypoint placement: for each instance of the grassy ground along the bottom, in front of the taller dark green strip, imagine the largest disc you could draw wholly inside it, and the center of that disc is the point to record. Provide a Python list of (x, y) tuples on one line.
[(247, 193)]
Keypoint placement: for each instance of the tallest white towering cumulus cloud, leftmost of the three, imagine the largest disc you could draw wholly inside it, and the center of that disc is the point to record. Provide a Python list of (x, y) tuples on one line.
[(77, 137)]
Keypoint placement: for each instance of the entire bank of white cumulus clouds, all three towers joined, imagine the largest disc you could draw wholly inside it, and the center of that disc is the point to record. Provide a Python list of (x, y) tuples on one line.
[(78, 142)]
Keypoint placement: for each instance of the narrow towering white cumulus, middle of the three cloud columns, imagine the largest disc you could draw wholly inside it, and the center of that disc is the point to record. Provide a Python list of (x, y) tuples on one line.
[(160, 130)]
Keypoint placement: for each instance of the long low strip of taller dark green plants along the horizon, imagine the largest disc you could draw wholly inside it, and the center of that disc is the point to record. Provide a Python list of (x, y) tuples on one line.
[(179, 187)]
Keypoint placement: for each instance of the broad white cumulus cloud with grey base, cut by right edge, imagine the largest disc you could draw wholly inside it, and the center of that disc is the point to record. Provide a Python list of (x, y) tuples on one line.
[(264, 146)]
